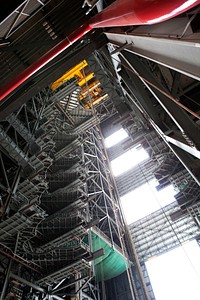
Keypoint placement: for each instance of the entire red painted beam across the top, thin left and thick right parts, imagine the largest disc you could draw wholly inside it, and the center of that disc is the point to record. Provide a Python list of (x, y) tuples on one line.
[(119, 13)]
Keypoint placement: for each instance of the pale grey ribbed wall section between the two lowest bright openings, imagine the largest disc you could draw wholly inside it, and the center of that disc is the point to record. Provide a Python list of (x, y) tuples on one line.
[(157, 233)]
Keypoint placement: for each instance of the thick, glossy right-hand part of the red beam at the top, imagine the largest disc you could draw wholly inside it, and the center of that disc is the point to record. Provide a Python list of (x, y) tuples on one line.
[(140, 12)]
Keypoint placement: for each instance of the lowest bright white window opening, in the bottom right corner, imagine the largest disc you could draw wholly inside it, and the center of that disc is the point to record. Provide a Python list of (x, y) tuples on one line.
[(175, 275)]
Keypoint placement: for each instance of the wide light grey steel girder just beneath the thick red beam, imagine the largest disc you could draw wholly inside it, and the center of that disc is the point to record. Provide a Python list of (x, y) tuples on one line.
[(179, 55)]
